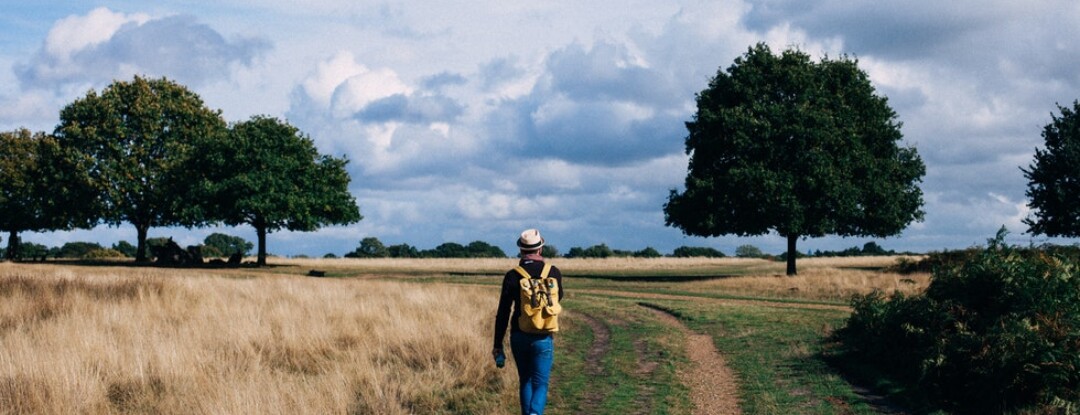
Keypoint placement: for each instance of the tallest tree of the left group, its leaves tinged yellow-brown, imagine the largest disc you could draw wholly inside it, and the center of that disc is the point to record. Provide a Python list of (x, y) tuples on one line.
[(138, 136)]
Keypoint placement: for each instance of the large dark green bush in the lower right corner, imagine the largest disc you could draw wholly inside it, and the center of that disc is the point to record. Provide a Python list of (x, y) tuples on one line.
[(997, 333)]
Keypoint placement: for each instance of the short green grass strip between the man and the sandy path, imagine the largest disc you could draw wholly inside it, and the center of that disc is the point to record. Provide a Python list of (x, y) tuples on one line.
[(634, 374)]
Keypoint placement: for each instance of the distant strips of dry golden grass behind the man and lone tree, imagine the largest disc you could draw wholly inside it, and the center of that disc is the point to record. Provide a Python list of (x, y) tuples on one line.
[(825, 279)]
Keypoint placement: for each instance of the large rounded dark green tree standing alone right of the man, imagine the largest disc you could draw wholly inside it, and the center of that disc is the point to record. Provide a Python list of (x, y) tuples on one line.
[(805, 150)]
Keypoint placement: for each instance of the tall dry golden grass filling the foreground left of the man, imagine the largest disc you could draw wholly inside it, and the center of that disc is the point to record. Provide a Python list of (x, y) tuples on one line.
[(112, 341)]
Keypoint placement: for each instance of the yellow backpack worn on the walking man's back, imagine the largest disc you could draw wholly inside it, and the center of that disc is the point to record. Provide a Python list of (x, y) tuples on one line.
[(539, 302)]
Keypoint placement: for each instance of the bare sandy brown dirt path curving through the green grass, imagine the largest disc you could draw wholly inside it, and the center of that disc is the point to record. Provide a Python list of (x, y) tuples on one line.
[(713, 387)]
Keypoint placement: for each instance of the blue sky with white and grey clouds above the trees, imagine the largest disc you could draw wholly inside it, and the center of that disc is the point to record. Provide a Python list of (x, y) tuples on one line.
[(476, 121)]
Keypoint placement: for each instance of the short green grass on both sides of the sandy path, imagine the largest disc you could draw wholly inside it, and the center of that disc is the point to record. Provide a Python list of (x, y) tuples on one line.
[(776, 353)]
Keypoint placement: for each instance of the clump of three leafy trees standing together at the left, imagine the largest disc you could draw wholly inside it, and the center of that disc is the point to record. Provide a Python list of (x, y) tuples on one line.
[(150, 153)]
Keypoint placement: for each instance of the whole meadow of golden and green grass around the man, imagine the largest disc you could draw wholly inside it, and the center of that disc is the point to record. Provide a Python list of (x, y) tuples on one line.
[(413, 337)]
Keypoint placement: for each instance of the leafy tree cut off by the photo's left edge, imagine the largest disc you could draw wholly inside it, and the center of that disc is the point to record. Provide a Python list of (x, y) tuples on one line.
[(40, 189)]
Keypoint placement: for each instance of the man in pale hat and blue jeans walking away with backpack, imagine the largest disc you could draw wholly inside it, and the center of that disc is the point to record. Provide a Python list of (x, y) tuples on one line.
[(530, 305)]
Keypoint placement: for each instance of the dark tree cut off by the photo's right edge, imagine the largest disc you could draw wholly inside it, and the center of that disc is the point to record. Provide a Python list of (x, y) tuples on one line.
[(1054, 188)]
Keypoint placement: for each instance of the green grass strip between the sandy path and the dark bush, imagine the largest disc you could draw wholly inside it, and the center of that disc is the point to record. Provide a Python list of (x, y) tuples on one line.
[(778, 356)]
